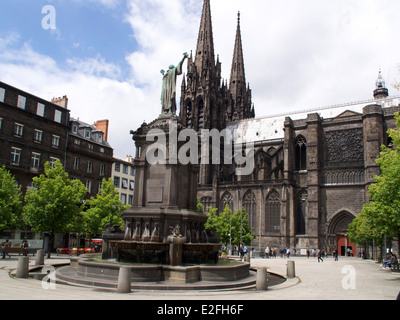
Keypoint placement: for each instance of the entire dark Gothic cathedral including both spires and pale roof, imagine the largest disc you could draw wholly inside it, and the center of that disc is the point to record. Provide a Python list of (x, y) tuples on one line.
[(312, 169)]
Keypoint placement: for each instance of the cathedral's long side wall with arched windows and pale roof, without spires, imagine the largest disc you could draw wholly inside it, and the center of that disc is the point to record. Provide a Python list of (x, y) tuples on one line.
[(296, 205)]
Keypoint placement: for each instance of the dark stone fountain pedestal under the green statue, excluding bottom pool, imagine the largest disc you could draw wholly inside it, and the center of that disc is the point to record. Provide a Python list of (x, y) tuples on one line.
[(163, 226)]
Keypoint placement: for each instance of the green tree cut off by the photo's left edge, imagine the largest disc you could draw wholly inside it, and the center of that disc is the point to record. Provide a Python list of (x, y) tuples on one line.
[(10, 201)]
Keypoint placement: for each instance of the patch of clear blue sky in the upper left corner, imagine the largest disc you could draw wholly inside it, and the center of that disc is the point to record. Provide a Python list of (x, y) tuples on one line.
[(84, 29)]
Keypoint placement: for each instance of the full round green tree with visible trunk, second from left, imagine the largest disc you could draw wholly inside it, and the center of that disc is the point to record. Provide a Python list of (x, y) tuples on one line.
[(54, 203)]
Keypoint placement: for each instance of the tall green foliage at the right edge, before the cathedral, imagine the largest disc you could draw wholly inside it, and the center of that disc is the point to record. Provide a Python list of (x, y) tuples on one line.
[(382, 215)]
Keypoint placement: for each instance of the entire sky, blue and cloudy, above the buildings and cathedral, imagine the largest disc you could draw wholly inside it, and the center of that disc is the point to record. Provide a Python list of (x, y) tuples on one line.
[(106, 55)]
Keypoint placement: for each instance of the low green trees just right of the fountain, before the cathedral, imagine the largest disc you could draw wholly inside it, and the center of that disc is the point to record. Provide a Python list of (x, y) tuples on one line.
[(226, 223)]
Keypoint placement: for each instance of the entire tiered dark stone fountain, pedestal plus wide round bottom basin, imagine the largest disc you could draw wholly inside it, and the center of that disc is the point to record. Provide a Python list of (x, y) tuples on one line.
[(164, 241)]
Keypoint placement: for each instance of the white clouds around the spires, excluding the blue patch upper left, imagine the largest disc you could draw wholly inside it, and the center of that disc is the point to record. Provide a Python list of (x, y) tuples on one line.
[(298, 55)]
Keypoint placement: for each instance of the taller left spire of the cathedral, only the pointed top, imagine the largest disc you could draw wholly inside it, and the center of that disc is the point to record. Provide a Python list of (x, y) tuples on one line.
[(205, 43)]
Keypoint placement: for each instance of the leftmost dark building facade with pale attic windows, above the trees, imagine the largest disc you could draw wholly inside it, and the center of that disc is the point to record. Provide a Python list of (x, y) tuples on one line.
[(32, 132)]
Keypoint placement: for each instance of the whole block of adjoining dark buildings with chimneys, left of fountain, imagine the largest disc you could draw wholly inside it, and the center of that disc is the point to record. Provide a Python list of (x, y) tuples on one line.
[(34, 131)]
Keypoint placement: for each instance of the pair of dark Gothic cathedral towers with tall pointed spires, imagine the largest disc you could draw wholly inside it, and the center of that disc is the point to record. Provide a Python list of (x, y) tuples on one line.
[(208, 101)]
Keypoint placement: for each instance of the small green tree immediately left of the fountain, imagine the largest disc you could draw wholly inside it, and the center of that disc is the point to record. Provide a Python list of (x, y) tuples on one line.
[(104, 209)]
